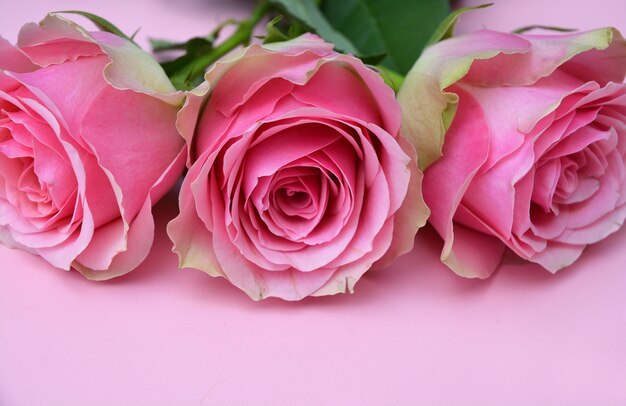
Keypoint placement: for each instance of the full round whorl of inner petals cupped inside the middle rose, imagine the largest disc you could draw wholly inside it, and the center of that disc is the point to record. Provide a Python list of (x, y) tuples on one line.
[(298, 189)]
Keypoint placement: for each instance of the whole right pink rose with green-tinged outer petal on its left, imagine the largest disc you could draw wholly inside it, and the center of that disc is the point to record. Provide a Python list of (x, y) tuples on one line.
[(533, 159)]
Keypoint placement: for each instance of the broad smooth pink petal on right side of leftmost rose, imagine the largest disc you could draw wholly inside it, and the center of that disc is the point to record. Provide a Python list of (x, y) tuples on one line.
[(137, 115)]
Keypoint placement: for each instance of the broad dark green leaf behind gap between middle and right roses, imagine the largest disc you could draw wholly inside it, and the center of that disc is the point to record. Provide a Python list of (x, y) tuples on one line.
[(397, 28)]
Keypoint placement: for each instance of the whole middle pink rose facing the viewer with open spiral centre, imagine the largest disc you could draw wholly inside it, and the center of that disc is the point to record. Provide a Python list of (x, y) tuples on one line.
[(298, 177)]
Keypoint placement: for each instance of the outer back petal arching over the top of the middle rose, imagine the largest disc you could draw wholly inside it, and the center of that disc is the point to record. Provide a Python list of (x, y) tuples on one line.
[(299, 59)]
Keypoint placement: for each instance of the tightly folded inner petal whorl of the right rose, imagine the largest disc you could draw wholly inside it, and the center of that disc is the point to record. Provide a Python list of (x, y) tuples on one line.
[(580, 177)]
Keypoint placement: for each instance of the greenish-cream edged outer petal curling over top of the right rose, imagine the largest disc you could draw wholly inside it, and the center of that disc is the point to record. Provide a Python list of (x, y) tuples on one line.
[(517, 60)]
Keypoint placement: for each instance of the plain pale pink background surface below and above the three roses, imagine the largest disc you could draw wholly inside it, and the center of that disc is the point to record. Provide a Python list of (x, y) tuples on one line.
[(411, 334)]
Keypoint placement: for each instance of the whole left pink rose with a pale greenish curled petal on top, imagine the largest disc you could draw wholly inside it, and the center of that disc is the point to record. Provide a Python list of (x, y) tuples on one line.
[(87, 144)]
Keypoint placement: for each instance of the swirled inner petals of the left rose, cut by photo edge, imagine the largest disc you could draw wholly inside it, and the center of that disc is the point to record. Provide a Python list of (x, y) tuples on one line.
[(39, 189)]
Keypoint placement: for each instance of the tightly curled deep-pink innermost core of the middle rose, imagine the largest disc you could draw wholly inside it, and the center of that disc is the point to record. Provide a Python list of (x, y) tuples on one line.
[(301, 200)]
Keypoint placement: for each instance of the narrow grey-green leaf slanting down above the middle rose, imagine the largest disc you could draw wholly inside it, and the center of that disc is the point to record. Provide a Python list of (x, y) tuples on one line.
[(307, 12)]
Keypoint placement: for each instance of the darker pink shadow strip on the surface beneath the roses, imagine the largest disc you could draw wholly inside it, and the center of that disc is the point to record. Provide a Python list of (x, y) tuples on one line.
[(418, 275)]
